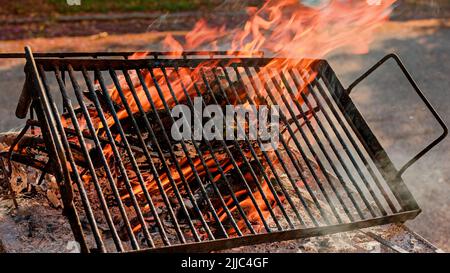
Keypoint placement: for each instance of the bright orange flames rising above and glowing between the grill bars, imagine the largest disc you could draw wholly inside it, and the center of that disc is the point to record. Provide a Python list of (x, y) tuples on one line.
[(283, 28)]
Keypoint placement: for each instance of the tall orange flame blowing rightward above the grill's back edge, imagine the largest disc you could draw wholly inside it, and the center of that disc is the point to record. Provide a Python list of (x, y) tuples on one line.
[(291, 29)]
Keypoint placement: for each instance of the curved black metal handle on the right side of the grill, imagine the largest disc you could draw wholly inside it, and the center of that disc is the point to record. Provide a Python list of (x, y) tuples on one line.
[(420, 94)]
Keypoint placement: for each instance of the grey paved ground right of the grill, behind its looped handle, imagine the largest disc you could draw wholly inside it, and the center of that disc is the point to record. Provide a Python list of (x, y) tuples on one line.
[(399, 119)]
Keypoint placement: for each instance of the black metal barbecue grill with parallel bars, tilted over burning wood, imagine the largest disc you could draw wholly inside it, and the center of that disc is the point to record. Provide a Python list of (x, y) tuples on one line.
[(330, 175)]
